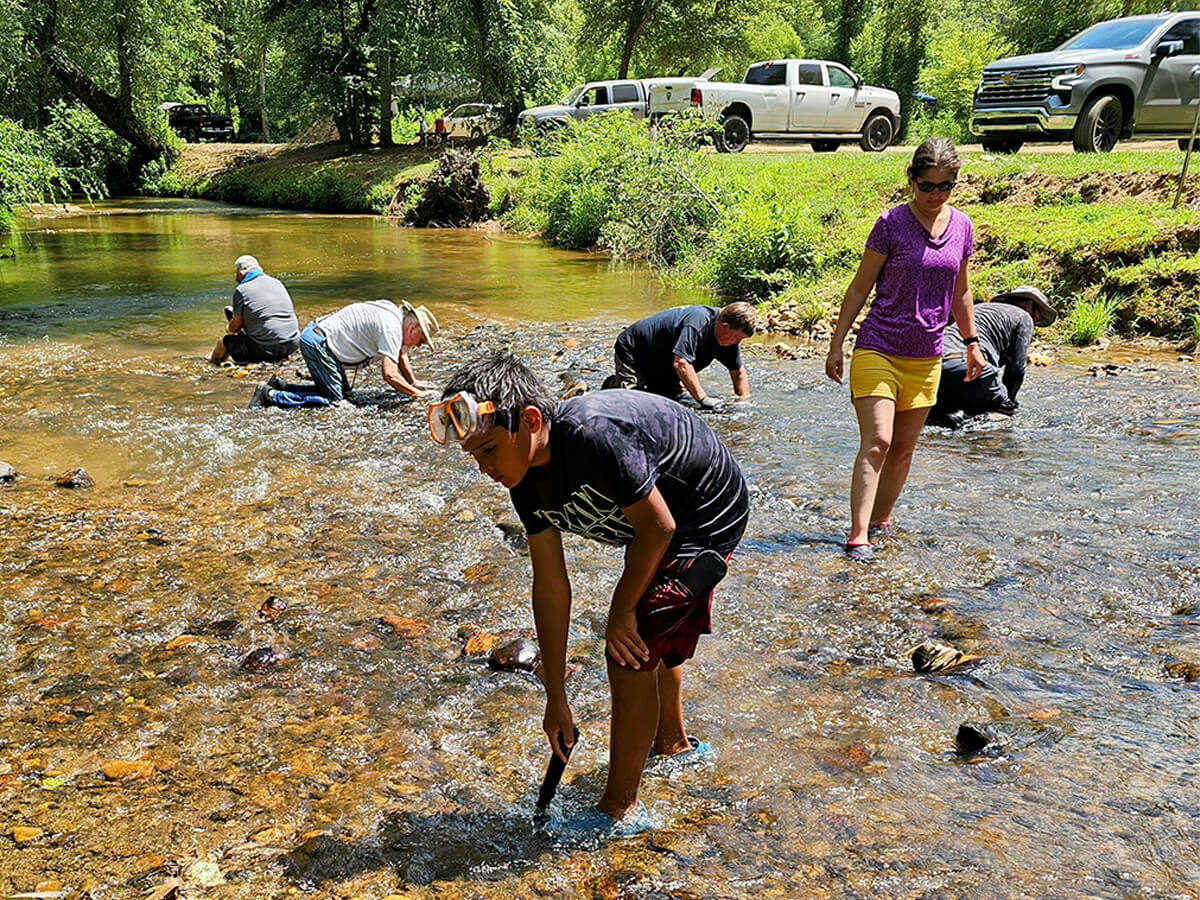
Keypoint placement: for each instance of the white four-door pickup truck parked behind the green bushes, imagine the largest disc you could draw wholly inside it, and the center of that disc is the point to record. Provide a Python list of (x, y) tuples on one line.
[(799, 100)]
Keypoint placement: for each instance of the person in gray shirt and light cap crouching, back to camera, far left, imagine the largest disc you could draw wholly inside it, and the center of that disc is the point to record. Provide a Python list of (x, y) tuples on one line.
[(263, 325)]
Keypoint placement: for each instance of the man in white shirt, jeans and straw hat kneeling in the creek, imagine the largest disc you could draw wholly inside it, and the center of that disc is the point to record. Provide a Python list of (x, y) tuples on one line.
[(353, 337)]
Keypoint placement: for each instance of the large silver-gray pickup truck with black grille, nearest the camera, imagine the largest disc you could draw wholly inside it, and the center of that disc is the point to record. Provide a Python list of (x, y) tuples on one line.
[(1124, 79)]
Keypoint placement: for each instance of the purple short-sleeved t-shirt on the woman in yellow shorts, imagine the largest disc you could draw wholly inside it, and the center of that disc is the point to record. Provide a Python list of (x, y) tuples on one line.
[(914, 292)]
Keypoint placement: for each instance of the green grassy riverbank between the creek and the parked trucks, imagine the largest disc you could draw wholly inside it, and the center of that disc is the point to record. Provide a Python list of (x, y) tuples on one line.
[(1096, 233)]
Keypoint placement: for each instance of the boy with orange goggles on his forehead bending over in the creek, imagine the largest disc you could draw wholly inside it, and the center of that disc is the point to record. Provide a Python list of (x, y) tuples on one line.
[(626, 469)]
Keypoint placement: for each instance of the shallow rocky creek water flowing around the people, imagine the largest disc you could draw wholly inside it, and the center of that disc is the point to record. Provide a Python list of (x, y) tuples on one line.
[(1061, 549)]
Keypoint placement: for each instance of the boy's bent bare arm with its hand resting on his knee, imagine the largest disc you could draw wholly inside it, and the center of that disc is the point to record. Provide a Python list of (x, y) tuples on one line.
[(653, 530)]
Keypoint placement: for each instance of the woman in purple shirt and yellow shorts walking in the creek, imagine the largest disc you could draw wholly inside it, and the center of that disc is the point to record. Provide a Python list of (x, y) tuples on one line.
[(916, 261)]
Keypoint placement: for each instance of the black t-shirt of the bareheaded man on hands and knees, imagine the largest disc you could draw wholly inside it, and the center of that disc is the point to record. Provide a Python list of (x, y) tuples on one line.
[(652, 344)]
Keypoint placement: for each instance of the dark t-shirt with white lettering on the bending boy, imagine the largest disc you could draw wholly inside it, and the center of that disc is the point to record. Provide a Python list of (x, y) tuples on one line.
[(608, 451)]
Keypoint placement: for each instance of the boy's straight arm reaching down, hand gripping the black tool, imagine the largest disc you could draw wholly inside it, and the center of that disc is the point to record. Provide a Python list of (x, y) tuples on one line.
[(551, 617)]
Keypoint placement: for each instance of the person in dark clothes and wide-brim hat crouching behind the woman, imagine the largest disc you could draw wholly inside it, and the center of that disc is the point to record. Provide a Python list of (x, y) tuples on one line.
[(1006, 329)]
